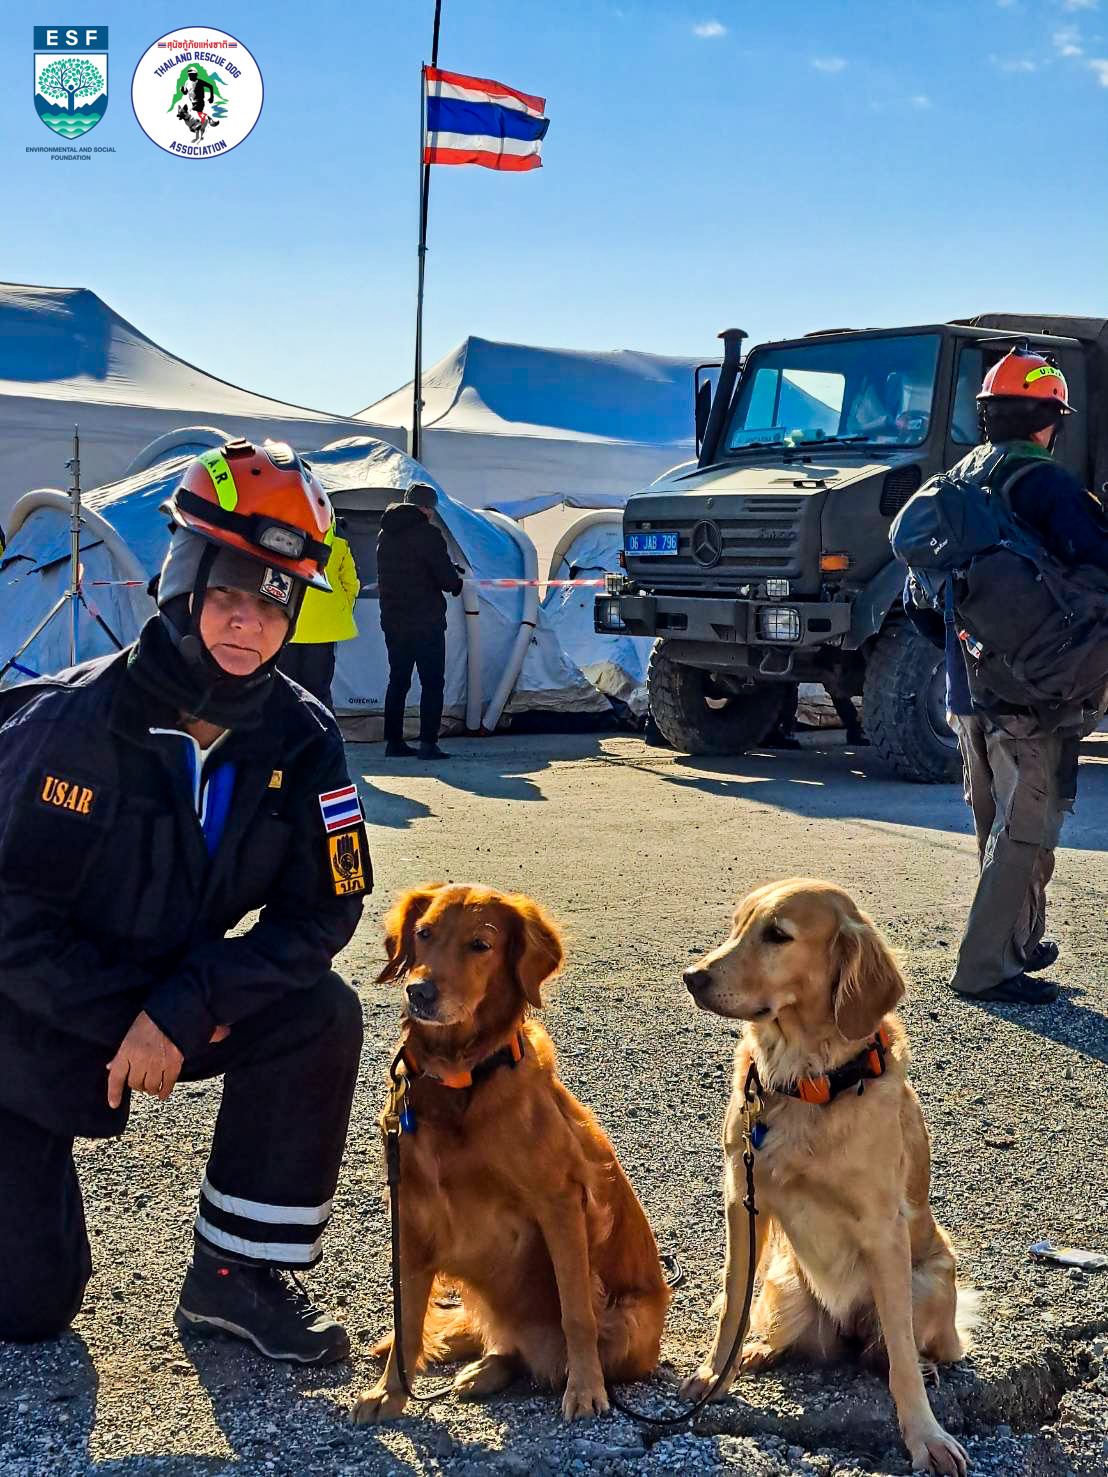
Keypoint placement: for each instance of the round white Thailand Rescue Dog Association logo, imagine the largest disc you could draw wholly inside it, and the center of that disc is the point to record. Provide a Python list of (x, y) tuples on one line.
[(197, 92)]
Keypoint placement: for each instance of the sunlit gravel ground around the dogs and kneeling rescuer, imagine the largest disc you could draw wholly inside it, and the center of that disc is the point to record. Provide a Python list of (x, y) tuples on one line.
[(642, 856)]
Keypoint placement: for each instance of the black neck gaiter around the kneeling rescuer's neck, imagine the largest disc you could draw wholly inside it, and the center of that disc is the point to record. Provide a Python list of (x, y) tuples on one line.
[(202, 689)]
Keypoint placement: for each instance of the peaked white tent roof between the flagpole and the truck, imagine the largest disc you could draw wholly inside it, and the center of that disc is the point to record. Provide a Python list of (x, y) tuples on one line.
[(522, 429)]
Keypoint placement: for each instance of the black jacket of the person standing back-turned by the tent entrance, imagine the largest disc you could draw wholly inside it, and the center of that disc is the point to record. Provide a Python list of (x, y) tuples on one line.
[(413, 571)]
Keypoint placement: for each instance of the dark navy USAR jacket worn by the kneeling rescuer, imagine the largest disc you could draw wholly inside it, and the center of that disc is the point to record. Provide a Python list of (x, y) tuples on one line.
[(109, 899)]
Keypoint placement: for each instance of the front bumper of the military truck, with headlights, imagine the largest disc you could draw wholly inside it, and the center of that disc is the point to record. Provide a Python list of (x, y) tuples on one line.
[(785, 624)]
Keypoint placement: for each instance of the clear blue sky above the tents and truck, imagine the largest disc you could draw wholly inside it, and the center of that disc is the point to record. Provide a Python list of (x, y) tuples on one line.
[(781, 166)]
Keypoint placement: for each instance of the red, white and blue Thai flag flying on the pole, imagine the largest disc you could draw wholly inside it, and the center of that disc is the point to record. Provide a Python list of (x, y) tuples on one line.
[(476, 122)]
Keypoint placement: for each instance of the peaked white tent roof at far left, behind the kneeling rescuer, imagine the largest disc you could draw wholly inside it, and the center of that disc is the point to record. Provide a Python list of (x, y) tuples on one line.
[(67, 358)]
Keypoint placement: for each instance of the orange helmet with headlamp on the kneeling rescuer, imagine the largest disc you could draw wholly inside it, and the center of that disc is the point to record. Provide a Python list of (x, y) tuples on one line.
[(267, 504)]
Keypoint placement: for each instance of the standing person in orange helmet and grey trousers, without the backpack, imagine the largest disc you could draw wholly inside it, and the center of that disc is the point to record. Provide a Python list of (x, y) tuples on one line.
[(1020, 781)]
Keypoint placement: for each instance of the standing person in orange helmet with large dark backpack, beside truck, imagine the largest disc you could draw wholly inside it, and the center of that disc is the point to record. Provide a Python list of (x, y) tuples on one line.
[(1020, 754)]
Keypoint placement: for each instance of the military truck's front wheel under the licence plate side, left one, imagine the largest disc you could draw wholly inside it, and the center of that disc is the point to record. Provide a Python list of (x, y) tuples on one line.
[(698, 716)]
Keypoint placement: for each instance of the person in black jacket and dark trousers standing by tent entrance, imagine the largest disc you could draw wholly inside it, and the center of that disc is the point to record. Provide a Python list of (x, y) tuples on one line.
[(413, 572)]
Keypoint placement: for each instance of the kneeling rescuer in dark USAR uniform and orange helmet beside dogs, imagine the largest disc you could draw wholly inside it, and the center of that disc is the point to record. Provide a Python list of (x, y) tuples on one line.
[(148, 803)]
